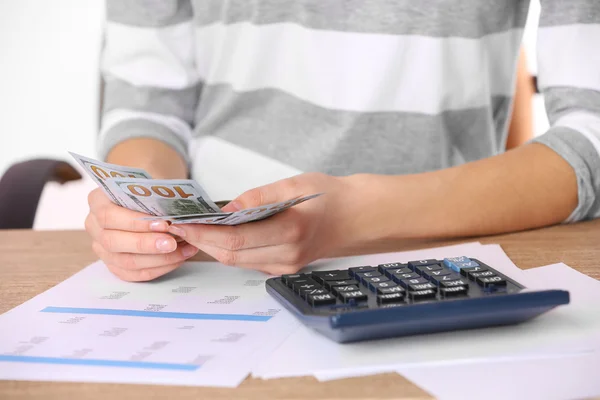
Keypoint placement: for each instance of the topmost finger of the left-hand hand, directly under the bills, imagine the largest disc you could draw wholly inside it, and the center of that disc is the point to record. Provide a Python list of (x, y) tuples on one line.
[(112, 216)]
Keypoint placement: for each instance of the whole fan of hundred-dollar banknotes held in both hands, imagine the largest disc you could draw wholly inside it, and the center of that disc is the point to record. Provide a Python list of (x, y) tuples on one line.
[(180, 201)]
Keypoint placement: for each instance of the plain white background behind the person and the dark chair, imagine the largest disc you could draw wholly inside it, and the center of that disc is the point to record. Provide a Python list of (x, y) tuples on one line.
[(49, 56)]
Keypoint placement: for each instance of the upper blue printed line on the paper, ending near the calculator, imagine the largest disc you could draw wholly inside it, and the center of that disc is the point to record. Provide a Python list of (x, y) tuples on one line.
[(156, 314)]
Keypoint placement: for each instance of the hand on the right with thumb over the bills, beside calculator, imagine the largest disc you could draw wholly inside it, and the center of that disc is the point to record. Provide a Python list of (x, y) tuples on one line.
[(285, 242)]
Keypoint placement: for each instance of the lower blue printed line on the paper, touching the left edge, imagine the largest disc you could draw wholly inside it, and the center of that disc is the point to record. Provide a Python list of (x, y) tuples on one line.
[(98, 363)]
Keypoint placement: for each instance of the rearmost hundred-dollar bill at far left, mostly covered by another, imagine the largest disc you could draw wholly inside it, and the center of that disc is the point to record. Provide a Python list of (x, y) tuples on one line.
[(100, 171)]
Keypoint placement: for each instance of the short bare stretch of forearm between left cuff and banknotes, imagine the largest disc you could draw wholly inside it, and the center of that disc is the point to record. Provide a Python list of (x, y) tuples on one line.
[(159, 159)]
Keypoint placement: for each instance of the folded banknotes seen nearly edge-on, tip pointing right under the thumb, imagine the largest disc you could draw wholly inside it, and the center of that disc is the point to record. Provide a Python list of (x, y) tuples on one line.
[(238, 217)]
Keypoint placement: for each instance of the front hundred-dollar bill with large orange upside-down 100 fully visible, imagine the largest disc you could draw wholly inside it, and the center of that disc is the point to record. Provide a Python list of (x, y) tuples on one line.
[(163, 197)]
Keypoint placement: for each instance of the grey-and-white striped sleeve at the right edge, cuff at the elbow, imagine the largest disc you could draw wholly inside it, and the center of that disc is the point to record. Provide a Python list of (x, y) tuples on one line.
[(569, 79)]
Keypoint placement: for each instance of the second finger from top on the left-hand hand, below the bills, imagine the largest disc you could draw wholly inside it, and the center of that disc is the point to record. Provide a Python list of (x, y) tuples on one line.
[(131, 242)]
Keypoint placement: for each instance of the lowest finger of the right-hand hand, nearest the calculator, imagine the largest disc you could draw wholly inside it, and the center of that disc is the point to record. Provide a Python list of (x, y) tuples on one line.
[(293, 256)]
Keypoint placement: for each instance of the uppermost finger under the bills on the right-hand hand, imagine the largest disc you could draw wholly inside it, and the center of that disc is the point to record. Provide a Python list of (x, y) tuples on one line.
[(284, 228)]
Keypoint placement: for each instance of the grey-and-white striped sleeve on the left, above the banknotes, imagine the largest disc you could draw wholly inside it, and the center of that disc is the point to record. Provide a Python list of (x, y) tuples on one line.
[(151, 84)]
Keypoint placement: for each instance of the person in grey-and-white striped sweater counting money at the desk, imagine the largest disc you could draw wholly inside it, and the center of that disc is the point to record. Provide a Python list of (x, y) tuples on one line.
[(398, 112)]
